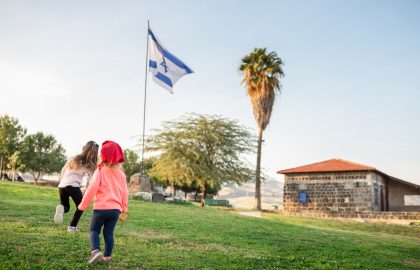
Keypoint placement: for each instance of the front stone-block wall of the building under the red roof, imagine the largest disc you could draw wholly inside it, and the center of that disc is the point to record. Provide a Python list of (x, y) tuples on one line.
[(329, 192)]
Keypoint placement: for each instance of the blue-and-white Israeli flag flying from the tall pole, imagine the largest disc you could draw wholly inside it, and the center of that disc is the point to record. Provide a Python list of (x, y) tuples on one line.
[(166, 68)]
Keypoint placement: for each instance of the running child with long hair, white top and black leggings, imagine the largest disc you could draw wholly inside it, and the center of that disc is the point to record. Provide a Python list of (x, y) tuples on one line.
[(70, 184)]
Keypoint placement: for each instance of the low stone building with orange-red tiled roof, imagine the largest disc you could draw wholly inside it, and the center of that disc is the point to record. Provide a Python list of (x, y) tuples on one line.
[(338, 186)]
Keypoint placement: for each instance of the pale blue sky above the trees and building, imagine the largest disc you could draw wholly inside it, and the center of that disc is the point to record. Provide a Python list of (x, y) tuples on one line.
[(75, 69)]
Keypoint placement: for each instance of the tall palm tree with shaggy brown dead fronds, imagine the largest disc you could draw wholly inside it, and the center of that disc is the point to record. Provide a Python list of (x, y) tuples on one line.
[(262, 73)]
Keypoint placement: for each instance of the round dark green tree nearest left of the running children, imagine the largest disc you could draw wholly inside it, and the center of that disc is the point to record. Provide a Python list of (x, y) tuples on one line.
[(41, 154)]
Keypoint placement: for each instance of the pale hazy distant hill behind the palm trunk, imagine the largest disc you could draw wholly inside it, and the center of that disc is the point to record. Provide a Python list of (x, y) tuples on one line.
[(243, 196)]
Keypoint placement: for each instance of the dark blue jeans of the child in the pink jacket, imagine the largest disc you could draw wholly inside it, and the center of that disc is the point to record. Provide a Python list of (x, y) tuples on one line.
[(108, 219)]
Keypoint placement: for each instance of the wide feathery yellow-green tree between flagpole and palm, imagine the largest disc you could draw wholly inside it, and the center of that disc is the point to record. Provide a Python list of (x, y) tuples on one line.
[(206, 150)]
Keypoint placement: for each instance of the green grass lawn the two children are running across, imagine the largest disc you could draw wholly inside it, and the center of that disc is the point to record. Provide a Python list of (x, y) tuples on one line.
[(170, 236)]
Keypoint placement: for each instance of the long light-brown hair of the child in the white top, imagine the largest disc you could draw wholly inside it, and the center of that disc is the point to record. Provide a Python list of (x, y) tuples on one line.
[(88, 158)]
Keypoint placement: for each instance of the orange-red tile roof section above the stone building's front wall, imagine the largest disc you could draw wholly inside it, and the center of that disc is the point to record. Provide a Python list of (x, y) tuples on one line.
[(332, 165)]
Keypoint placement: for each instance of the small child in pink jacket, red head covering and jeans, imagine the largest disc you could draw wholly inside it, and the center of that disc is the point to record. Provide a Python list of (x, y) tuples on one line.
[(108, 188)]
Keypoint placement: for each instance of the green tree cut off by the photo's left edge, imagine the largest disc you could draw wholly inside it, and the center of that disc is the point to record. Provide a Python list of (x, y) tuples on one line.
[(11, 135)]
